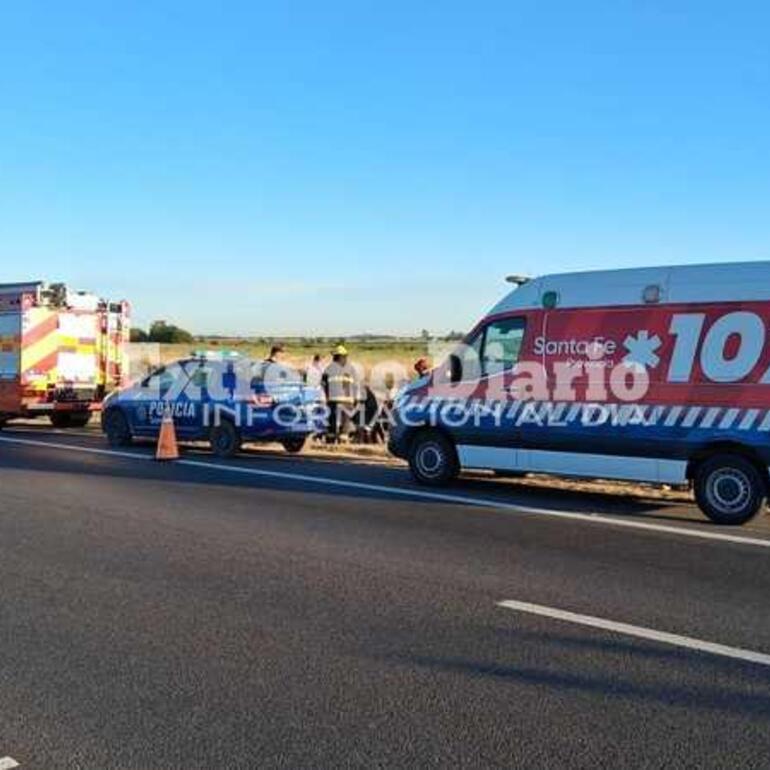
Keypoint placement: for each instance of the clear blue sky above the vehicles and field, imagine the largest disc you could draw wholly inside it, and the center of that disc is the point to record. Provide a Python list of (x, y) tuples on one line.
[(342, 167)]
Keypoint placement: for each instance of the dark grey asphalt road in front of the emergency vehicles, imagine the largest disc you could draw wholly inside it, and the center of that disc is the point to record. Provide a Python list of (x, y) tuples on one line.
[(277, 612)]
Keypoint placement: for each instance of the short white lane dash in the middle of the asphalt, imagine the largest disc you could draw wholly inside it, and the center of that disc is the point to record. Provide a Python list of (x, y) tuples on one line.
[(639, 631)]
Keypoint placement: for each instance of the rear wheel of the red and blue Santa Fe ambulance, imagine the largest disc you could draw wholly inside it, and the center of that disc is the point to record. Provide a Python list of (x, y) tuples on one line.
[(729, 489)]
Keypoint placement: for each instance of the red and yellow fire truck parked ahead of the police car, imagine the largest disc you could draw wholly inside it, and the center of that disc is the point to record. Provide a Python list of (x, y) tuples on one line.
[(61, 352)]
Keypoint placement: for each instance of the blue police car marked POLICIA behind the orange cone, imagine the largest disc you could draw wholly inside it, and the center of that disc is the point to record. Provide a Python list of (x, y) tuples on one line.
[(225, 400)]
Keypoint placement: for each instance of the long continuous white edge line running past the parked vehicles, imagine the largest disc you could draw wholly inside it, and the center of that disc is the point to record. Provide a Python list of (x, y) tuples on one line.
[(592, 518)]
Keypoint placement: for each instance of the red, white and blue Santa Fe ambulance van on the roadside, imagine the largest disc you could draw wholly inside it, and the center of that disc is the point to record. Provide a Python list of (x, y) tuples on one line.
[(658, 375)]
